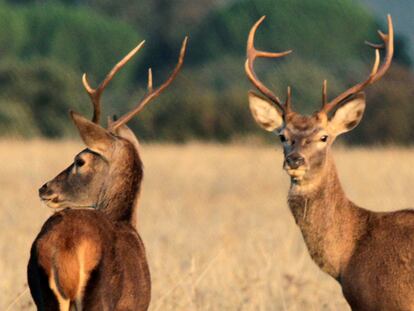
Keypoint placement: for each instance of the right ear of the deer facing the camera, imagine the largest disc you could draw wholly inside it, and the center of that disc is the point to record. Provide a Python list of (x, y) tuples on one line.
[(349, 115)]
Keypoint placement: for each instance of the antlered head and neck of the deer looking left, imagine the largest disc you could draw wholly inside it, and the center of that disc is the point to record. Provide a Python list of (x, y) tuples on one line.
[(107, 174)]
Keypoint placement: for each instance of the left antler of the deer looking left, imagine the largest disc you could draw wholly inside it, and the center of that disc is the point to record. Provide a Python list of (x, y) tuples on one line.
[(95, 94)]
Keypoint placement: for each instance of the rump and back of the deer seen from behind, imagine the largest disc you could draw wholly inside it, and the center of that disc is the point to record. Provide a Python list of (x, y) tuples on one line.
[(81, 259)]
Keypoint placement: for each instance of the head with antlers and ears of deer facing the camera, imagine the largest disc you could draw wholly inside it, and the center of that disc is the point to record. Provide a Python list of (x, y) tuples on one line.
[(307, 139)]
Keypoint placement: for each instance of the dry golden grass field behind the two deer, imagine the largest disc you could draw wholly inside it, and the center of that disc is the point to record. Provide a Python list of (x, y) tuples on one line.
[(214, 220)]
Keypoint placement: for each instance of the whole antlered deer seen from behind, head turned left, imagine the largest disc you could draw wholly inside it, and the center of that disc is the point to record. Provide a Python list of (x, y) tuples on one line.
[(88, 255)]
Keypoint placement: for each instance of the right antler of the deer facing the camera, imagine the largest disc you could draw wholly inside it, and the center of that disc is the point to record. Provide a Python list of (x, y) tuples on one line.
[(377, 71)]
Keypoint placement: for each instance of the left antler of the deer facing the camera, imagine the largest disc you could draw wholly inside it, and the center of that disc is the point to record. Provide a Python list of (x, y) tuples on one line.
[(252, 54)]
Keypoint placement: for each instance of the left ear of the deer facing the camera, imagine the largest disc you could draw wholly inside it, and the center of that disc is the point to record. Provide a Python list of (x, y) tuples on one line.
[(264, 113)]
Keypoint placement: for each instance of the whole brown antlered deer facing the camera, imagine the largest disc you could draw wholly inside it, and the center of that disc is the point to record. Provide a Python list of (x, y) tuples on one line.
[(370, 254)]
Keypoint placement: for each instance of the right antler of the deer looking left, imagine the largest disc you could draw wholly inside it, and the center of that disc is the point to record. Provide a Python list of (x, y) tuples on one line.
[(152, 93)]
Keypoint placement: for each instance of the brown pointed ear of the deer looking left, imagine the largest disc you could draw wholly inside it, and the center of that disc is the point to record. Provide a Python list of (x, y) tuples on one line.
[(93, 135)]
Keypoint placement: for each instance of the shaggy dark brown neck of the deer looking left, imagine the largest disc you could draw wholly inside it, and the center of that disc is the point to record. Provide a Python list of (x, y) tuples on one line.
[(120, 193)]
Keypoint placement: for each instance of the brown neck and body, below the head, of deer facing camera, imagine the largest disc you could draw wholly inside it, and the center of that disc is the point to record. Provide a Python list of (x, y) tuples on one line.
[(370, 254)]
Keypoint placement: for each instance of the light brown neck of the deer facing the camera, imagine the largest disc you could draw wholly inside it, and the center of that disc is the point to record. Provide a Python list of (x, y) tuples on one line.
[(330, 223)]
